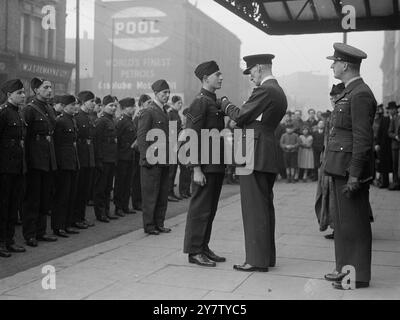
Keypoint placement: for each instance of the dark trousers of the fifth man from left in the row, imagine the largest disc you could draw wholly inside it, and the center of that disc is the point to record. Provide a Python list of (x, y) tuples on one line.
[(102, 189)]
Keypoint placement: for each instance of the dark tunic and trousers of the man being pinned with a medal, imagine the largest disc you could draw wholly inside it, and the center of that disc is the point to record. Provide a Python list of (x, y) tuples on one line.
[(204, 113)]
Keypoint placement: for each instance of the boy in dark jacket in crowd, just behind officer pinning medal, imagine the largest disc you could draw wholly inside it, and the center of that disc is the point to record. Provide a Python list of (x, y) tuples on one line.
[(289, 144)]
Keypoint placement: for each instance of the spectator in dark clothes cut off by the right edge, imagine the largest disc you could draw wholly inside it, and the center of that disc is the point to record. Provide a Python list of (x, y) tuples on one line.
[(394, 136)]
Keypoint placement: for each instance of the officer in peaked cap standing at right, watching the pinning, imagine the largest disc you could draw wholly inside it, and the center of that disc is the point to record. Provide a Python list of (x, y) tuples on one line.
[(349, 159)]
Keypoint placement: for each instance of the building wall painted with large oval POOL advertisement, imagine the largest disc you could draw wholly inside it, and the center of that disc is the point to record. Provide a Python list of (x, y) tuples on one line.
[(136, 43)]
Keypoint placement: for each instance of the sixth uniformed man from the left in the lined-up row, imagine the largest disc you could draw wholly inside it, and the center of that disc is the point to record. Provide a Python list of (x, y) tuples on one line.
[(126, 137)]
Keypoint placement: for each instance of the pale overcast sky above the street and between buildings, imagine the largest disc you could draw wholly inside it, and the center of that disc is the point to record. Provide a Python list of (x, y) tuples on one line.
[(293, 53)]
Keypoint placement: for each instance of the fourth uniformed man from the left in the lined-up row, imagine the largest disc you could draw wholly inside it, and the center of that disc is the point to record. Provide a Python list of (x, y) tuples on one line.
[(85, 146)]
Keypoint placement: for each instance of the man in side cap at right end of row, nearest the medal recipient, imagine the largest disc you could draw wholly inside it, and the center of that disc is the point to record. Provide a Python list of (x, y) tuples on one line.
[(154, 176)]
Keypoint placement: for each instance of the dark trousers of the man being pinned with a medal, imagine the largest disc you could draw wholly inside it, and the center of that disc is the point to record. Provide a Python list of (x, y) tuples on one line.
[(202, 209)]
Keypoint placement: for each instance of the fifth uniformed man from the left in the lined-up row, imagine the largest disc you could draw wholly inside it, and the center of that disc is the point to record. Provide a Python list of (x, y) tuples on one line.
[(105, 158)]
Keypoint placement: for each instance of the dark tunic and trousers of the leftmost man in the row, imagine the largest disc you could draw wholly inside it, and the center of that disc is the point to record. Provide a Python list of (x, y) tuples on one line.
[(12, 169)]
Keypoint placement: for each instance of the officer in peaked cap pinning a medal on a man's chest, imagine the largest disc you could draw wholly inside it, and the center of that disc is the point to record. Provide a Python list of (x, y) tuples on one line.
[(262, 113)]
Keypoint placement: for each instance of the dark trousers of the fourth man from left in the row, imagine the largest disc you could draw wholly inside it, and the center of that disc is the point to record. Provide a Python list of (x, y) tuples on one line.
[(83, 194)]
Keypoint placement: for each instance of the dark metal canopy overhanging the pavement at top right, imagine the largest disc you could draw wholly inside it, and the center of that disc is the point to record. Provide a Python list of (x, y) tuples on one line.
[(279, 17)]
